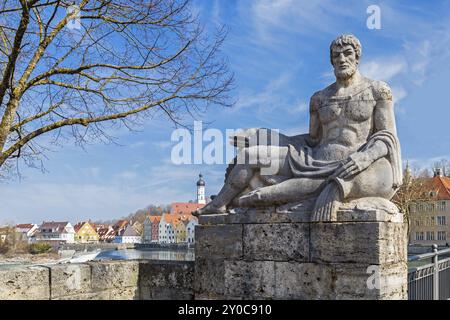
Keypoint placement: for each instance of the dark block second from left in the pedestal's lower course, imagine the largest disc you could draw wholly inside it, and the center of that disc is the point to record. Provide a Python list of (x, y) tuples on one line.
[(250, 280)]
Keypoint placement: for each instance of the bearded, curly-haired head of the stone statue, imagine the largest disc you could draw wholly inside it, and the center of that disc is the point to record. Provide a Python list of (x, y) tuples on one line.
[(345, 52)]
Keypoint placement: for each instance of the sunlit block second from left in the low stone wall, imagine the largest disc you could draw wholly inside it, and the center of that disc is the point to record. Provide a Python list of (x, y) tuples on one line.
[(72, 279)]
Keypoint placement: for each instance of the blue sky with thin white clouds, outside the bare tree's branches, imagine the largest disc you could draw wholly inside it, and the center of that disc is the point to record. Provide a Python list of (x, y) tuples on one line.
[(279, 52)]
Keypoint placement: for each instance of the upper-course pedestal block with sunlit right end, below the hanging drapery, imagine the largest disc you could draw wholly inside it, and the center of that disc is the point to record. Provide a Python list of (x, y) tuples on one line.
[(360, 242)]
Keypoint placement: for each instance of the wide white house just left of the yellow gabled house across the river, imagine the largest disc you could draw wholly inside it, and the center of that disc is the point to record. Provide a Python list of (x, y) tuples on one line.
[(61, 232)]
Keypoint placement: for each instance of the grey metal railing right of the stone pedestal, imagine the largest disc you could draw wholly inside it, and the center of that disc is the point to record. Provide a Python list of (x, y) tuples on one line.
[(430, 281)]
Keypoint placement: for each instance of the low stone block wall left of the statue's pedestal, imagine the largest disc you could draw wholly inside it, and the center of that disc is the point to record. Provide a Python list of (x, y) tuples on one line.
[(138, 279)]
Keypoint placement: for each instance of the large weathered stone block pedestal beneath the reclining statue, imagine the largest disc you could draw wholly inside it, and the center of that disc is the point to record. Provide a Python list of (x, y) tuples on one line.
[(280, 254)]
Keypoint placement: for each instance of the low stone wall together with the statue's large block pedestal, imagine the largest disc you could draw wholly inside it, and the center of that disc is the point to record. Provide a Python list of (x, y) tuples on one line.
[(257, 254)]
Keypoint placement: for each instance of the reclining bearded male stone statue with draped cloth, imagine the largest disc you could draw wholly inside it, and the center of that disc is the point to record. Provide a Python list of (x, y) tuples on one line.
[(350, 152)]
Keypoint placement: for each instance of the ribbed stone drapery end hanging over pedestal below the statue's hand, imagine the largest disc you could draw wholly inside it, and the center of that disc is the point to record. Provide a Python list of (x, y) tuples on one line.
[(327, 204)]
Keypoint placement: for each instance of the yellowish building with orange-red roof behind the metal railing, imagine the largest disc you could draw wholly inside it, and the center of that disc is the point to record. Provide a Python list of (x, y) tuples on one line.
[(430, 220)]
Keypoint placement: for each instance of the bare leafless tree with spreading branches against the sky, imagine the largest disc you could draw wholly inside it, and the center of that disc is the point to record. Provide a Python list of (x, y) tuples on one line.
[(80, 70)]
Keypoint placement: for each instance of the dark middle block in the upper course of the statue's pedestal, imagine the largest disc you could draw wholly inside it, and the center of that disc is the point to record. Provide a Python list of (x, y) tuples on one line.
[(278, 242)]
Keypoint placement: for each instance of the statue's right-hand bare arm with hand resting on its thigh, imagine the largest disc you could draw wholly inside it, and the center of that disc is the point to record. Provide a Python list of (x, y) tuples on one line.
[(383, 119)]
